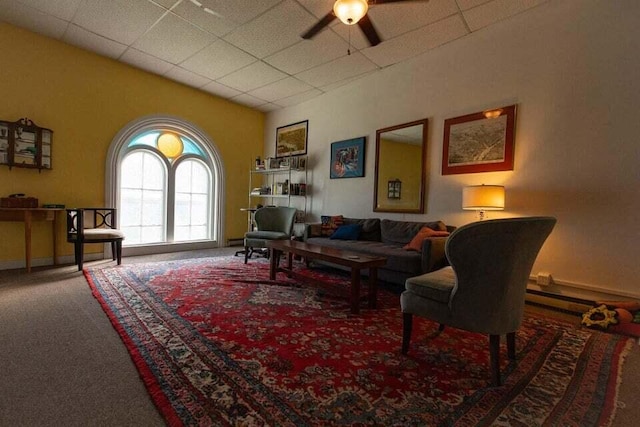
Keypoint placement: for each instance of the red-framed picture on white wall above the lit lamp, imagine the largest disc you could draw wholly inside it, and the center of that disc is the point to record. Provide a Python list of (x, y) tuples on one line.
[(479, 142)]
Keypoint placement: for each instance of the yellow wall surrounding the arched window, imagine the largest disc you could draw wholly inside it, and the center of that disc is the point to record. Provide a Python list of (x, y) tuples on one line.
[(86, 99)]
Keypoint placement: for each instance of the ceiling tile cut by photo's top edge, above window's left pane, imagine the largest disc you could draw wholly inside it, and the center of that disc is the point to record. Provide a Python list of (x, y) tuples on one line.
[(125, 21)]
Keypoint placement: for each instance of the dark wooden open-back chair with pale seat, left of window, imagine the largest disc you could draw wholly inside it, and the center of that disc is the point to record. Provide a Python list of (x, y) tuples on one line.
[(94, 225)]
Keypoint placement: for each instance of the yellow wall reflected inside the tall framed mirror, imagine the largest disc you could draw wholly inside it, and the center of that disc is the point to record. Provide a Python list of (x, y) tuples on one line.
[(401, 161)]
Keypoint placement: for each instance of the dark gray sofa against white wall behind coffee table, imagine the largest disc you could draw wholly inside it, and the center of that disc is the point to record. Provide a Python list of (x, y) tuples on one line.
[(386, 238)]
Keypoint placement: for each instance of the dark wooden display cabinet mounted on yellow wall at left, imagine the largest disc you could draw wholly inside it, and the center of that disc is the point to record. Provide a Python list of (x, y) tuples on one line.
[(23, 144)]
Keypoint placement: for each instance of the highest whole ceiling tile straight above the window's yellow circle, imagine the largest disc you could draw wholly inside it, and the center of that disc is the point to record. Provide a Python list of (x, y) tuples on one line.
[(173, 39)]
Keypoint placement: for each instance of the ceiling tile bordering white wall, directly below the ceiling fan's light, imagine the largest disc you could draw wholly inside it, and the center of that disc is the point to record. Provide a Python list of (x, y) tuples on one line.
[(342, 68)]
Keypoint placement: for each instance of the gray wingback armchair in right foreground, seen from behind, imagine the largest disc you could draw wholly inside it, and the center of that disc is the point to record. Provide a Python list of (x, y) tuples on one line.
[(483, 289)]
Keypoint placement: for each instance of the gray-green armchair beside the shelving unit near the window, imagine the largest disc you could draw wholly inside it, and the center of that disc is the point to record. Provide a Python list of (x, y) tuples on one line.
[(272, 223)]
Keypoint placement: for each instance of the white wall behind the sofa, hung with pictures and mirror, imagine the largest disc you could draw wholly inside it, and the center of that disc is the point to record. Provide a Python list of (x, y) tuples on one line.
[(572, 67)]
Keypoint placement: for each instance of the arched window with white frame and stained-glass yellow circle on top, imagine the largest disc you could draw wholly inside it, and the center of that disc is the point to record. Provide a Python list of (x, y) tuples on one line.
[(165, 177)]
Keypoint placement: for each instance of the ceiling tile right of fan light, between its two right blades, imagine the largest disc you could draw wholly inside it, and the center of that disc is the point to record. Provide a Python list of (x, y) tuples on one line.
[(394, 19)]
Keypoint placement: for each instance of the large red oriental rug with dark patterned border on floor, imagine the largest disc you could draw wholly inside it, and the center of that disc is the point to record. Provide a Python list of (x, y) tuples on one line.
[(217, 343)]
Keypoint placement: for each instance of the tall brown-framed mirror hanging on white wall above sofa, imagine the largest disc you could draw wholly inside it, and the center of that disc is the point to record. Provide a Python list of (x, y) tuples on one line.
[(401, 154)]
